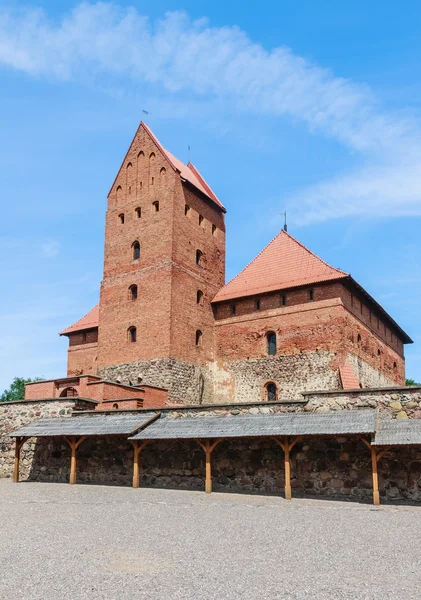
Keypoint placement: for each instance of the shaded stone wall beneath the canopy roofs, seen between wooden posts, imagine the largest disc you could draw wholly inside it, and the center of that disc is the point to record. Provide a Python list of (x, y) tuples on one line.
[(328, 467)]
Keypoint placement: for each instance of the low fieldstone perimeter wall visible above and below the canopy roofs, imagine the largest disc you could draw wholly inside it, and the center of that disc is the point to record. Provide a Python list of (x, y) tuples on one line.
[(327, 467)]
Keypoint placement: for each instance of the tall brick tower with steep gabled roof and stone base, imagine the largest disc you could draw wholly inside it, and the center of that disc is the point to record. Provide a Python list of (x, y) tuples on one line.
[(164, 262)]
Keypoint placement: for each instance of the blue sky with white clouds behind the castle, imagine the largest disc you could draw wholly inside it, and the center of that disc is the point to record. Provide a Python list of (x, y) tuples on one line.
[(313, 107)]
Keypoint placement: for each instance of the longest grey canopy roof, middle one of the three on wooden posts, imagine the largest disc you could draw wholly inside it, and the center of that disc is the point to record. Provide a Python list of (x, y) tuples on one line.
[(338, 423)]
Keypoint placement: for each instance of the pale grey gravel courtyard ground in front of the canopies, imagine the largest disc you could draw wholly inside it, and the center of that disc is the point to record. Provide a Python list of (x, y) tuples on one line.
[(70, 542)]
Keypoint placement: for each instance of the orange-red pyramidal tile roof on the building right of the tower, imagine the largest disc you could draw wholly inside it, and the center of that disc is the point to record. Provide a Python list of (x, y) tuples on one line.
[(284, 263)]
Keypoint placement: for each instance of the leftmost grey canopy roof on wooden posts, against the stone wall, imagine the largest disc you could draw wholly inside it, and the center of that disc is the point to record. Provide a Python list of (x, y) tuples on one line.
[(110, 424)]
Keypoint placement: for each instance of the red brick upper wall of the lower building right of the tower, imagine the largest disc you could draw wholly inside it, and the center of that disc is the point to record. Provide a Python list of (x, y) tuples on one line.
[(324, 325)]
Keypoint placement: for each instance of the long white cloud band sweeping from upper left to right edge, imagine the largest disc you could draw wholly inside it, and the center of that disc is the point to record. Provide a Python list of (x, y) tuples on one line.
[(186, 57)]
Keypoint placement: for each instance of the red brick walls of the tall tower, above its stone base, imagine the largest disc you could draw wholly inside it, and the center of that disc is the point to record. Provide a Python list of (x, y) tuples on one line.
[(165, 312)]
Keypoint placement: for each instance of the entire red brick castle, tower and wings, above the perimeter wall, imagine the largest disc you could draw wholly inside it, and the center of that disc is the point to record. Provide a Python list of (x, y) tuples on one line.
[(168, 329)]
